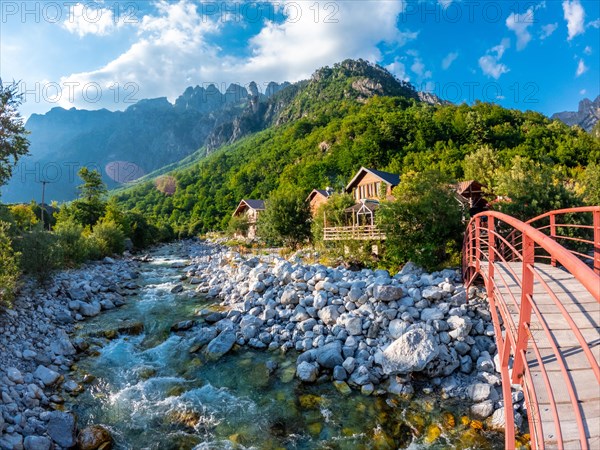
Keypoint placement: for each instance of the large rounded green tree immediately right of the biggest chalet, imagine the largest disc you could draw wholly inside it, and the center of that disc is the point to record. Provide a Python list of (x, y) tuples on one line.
[(424, 223)]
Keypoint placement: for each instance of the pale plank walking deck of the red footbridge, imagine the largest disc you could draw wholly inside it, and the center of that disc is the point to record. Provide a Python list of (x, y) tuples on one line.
[(585, 312)]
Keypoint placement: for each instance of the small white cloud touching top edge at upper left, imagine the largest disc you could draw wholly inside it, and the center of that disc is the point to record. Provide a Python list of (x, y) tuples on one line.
[(82, 19)]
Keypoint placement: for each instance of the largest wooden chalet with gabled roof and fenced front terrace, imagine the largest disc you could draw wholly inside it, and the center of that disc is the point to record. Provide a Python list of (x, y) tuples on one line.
[(368, 187)]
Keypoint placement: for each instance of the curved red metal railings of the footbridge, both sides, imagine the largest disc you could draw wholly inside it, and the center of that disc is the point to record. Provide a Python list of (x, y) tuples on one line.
[(503, 251)]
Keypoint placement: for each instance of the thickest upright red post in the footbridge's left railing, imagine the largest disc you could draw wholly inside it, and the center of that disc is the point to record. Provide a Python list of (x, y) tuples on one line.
[(525, 308)]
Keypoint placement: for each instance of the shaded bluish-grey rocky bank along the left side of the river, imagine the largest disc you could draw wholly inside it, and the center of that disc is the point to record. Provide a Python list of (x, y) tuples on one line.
[(37, 353)]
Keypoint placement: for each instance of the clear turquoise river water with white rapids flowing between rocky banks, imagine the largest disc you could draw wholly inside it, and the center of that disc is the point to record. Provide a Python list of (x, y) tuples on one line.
[(152, 393)]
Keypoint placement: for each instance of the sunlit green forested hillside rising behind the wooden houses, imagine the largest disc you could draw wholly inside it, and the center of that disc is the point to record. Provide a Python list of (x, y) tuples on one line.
[(334, 138)]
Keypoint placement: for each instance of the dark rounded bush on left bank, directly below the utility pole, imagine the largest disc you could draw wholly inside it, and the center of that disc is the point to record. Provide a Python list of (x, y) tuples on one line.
[(40, 253)]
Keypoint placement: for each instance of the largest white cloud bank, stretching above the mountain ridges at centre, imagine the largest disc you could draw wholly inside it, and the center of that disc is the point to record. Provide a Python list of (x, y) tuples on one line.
[(174, 47)]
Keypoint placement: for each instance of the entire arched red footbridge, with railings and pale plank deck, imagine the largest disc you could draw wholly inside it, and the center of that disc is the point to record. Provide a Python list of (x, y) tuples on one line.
[(542, 279)]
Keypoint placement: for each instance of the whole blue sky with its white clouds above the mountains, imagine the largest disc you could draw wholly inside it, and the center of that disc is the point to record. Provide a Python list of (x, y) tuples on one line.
[(540, 55)]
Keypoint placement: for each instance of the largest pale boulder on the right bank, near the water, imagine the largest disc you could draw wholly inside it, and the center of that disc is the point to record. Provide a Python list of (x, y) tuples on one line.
[(411, 352)]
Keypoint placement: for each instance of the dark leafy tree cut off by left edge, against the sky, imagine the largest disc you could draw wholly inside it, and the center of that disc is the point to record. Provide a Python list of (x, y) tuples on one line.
[(13, 141)]
